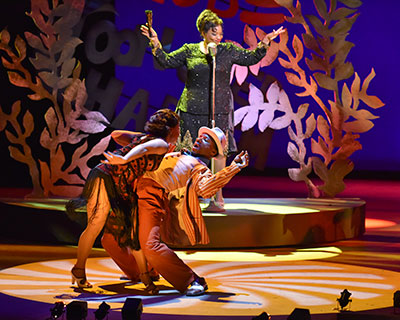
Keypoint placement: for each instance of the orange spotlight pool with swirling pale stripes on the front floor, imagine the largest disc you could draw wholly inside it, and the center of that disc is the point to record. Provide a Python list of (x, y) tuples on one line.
[(244, 288)]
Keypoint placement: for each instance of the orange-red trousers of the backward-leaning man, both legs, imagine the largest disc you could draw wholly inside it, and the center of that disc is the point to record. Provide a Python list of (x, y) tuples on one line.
[(152, 207)]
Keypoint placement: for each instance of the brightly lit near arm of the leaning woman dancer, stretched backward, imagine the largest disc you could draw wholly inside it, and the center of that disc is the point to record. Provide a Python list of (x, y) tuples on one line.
[(156, 146)]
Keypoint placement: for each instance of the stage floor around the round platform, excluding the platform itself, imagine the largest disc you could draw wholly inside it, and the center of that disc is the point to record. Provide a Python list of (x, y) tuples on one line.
[(243, 283)]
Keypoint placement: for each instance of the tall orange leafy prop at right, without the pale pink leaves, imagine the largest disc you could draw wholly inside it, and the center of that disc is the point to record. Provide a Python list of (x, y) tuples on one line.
[(338, 133)]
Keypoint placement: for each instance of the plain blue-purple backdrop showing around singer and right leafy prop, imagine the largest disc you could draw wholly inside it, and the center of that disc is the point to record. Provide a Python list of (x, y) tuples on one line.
[(376, 47)]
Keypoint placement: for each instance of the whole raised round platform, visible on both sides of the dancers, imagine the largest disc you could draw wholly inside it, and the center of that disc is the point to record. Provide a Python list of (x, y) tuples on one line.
[(246, 223)]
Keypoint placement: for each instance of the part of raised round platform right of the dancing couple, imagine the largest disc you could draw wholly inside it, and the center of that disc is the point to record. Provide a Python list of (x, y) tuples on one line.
[(282, 222)]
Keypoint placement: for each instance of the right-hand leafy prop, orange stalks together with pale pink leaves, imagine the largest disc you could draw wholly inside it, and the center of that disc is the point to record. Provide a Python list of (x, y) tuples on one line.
[(342, 118)]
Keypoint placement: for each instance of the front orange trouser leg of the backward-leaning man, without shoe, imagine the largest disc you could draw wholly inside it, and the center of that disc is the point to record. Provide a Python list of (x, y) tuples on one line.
[(152, 201)]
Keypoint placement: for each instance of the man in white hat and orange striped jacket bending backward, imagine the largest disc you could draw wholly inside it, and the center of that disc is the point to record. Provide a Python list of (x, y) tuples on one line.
[(169, 209)]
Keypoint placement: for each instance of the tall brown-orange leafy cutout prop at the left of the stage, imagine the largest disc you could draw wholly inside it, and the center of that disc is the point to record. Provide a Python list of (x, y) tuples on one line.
[(57, 79)]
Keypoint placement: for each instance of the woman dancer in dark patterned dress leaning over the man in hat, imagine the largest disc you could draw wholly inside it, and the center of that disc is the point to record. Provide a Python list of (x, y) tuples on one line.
[(112, 185)]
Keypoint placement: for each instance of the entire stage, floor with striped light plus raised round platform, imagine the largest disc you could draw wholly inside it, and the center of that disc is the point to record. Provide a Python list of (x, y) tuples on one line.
[(257, 260)]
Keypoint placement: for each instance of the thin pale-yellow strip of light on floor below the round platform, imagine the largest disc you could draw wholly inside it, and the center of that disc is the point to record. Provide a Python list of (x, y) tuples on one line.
[(295, 255)]
